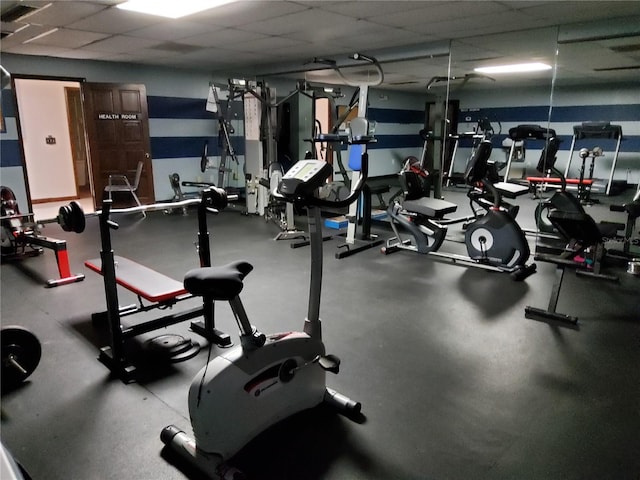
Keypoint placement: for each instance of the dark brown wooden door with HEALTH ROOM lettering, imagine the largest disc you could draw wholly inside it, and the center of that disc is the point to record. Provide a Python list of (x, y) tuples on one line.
[(117, 122)]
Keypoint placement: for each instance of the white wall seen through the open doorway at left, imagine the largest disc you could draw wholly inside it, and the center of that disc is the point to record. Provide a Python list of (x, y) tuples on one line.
[(43, 113)]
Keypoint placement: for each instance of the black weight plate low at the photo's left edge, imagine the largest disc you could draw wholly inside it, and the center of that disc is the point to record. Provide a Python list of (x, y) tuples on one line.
[(23, 347)]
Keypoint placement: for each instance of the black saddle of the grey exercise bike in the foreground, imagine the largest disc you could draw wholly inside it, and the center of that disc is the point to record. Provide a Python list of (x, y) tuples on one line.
[(218, 283)]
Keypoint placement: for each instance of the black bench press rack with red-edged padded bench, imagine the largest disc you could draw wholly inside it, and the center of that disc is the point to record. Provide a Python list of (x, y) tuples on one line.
[(150, 285)]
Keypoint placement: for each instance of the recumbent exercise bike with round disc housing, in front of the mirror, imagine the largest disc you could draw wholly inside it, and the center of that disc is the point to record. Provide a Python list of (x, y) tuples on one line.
[(494, 241)]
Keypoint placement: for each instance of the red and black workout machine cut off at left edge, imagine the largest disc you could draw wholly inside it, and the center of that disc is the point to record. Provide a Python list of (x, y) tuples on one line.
[(23, 239)]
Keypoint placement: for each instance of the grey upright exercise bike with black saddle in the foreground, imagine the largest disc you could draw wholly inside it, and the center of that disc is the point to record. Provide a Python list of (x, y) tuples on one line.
[(266, 378)]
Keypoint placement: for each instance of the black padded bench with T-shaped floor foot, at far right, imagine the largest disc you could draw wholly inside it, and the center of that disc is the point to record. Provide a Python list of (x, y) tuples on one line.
[(583, 233)]
